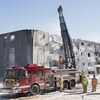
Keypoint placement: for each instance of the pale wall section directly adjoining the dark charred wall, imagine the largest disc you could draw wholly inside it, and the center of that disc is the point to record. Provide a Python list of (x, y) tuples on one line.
[(41, 48)]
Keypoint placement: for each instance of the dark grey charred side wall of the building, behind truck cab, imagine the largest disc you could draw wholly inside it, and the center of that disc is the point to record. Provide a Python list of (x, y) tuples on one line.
[(16, 49)]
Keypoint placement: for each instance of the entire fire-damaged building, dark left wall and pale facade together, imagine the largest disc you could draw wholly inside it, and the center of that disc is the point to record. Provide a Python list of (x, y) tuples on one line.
[(24, 47)]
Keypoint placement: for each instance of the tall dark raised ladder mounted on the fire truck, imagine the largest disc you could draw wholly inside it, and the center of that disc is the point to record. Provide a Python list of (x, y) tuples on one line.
[(67, 42)]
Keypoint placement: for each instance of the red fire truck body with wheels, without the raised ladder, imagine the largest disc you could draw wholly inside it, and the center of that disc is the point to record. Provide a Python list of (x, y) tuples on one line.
[(34, 79)]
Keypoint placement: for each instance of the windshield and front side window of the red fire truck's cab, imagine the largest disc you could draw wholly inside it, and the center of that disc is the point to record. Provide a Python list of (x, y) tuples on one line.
[(13, 74)]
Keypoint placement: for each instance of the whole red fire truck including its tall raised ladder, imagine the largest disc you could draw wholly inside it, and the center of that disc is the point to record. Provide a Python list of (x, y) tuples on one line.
[(34, 79)]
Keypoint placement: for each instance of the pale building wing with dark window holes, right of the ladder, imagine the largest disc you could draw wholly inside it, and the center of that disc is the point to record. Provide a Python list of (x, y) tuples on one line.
[(87, 55)]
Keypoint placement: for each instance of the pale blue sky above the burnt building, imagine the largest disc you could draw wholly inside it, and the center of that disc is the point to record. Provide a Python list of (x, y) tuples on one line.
[(82, 17)]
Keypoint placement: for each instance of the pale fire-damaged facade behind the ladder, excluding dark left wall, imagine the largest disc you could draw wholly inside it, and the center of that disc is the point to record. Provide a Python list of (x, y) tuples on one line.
[(48, 48)]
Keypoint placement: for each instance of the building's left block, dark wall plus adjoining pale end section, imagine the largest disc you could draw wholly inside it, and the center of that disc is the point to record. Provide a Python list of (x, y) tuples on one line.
[(23, 47)]
